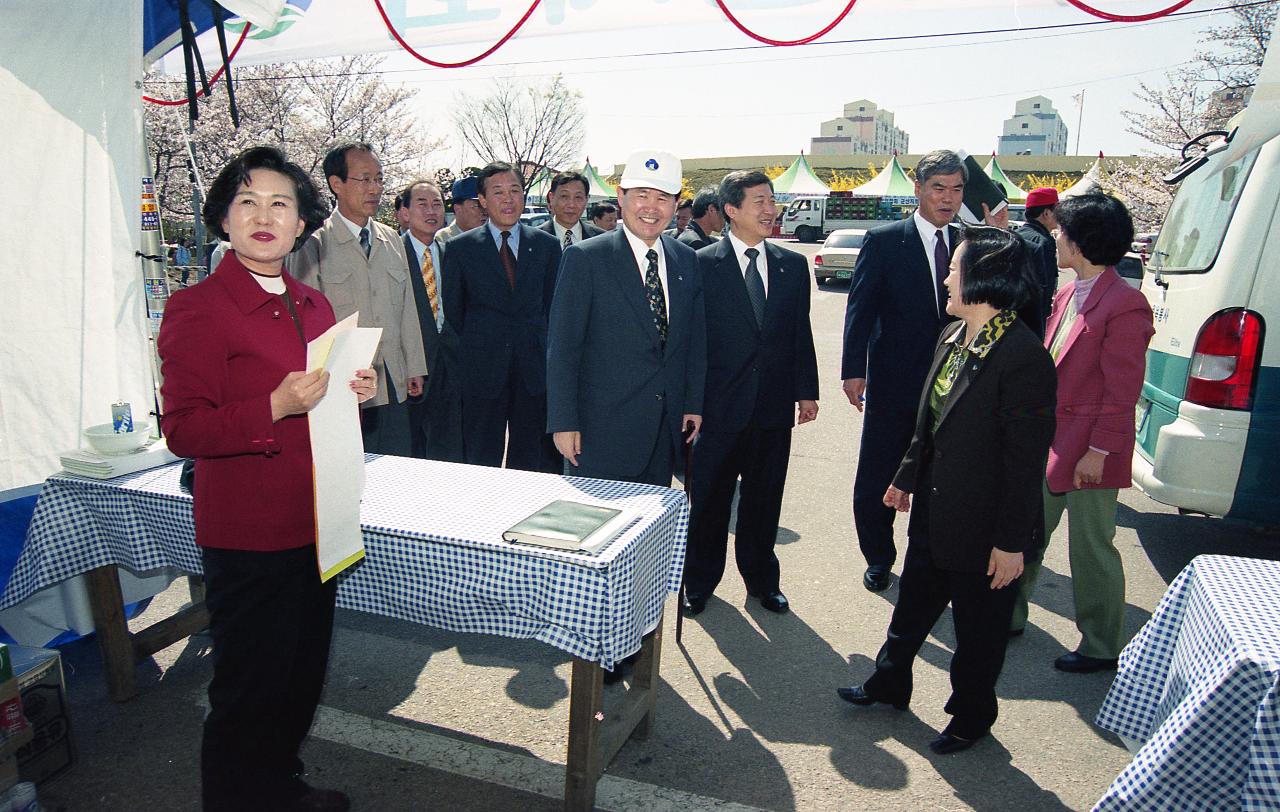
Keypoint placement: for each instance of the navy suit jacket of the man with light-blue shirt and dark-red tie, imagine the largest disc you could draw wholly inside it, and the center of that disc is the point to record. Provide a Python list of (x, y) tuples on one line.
[(493, 322)]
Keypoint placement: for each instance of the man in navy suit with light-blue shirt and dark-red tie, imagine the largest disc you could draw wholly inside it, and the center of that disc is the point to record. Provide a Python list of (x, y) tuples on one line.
[(499, 284)]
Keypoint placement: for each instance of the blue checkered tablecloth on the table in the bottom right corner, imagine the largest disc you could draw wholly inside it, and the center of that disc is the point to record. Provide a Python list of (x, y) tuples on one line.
[(1199, 686)]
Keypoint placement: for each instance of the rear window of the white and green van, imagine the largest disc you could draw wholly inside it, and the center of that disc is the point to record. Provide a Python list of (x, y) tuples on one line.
[(1196, 226)]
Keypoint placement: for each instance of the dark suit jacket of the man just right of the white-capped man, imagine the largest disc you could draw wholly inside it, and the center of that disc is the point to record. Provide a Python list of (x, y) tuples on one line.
[(756, 376)]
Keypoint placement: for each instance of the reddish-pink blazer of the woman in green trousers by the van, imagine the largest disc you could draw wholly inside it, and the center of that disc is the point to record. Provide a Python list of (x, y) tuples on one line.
[(1100, 375)]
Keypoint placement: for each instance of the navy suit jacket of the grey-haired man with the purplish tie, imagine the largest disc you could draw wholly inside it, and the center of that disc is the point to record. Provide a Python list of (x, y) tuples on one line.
[(893, 320)]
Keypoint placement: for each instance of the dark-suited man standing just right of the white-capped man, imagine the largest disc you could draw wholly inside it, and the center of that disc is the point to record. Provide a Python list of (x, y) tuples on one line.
[(761, 367)]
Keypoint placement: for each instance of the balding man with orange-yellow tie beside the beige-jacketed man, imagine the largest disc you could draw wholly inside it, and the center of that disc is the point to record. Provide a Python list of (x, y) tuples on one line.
[(436, 421)]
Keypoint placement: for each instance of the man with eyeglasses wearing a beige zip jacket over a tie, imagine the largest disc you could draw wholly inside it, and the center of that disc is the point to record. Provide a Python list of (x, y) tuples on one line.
[(360, 266)]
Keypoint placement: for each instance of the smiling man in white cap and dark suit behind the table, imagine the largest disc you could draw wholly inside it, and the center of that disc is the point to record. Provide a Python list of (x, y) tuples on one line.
[(627, 355)]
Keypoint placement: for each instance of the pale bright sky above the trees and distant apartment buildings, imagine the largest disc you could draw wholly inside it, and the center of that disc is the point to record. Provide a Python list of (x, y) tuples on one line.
[(953, 93)]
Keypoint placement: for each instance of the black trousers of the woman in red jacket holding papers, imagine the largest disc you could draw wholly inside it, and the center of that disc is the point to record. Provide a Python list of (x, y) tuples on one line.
[(272, 622)]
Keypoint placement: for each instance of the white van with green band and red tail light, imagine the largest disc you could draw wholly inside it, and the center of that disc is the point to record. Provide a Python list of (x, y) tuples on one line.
[(1209, 418)]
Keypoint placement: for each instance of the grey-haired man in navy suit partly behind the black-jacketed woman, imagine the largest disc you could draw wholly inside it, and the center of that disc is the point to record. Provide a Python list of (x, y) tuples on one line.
[(897, 309)]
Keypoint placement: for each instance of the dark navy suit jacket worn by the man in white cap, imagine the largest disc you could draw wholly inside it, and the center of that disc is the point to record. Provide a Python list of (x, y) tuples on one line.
[(607, 373)]
